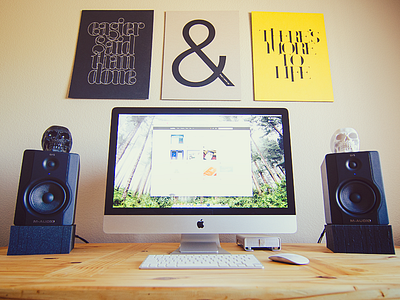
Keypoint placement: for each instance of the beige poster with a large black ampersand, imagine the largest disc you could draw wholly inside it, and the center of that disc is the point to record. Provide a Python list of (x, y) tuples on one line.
[(201, 56)]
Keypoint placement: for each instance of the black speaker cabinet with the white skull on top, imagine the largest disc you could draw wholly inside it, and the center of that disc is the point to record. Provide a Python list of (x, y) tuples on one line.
[(353, 189)]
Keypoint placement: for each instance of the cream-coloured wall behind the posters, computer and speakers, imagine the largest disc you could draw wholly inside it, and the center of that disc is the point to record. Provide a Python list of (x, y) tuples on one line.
[(38, 40)]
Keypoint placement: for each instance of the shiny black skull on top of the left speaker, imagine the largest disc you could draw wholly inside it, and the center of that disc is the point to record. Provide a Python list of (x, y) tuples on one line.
[(57, 139)]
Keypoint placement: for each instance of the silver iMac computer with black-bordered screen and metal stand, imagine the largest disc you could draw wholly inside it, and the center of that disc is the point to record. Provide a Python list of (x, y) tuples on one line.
[(199, 172)]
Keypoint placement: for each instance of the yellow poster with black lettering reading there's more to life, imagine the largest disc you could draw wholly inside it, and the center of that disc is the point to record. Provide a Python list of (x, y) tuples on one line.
[(290, 57)]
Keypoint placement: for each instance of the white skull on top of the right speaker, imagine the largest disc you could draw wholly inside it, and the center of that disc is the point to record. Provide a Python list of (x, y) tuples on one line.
[(345, 140)]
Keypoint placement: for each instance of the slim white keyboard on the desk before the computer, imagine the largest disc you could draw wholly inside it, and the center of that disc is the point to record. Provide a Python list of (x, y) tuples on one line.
[(201, 261)]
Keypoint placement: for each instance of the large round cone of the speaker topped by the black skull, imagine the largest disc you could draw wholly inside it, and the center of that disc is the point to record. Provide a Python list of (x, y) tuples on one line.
[(46, 197)]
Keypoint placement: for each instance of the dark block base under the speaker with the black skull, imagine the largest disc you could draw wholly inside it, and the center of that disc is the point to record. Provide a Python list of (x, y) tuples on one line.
[(29, 240)]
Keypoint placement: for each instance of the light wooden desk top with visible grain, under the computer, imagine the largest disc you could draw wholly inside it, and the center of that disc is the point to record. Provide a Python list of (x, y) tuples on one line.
[(110, 271)]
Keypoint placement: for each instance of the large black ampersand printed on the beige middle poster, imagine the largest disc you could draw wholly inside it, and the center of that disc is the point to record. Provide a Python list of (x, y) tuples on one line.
[(217, 70)]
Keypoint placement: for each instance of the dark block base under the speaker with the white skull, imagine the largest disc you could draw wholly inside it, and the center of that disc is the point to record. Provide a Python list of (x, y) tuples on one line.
[(368, 239)]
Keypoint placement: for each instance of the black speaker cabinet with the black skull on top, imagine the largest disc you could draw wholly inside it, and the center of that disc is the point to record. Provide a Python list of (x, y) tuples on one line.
[(47, 189)]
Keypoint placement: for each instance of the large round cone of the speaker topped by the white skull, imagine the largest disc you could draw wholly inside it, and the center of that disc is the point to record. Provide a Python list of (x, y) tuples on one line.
[(357, 197)]
